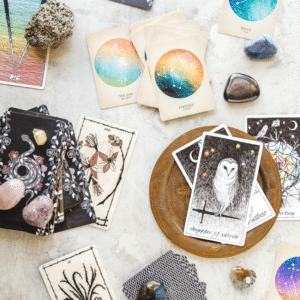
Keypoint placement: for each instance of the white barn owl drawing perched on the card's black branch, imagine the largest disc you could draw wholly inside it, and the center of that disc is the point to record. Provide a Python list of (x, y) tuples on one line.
[(225, 183)]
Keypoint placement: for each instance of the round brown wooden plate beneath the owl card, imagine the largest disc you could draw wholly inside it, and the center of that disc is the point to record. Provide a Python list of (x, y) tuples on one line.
[(170, 195)]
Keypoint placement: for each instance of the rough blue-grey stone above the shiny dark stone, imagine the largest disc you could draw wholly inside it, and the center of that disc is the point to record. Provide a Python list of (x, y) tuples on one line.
[(261, 48)]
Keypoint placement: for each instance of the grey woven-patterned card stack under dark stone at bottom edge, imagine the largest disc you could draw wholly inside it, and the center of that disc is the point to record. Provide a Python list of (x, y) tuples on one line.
[(174, 271)]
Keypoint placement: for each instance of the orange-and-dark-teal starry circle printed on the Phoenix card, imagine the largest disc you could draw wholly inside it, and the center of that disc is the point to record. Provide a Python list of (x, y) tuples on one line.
[(179, 73)]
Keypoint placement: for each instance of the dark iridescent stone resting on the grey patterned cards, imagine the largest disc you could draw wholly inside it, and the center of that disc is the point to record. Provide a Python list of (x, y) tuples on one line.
[(152, 290)]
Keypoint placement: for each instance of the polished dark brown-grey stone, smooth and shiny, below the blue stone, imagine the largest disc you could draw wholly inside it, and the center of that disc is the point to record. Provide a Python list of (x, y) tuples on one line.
[(241, 88)]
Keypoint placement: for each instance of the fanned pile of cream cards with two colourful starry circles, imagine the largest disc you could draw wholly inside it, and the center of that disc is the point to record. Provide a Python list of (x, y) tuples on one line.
[(157, 62)]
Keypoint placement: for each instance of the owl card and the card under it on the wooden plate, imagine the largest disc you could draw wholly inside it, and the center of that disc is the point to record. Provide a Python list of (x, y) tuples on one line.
[(226, 200)]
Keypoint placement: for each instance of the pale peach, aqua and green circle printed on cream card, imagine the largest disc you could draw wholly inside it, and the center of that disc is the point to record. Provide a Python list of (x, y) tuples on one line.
[(117, 63)]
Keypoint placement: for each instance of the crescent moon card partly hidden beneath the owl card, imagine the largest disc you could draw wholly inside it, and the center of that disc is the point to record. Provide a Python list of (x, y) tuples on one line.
[(186, 158)]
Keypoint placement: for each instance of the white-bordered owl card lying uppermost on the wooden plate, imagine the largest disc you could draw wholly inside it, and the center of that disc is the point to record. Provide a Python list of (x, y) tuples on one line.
[(225, 179)]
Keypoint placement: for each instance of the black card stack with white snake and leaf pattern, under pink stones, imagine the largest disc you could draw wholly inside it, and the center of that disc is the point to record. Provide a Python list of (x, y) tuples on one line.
[(54, 170)]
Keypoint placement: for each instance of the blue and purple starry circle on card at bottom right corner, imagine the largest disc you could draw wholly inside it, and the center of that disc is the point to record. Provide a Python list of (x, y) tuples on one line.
[(287, 279)]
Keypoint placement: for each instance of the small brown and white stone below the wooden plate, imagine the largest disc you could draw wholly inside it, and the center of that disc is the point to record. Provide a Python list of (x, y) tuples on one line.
[(242, 278)]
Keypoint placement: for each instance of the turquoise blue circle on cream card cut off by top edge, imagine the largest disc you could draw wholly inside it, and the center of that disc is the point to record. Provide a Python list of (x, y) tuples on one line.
[(253, 10)]
